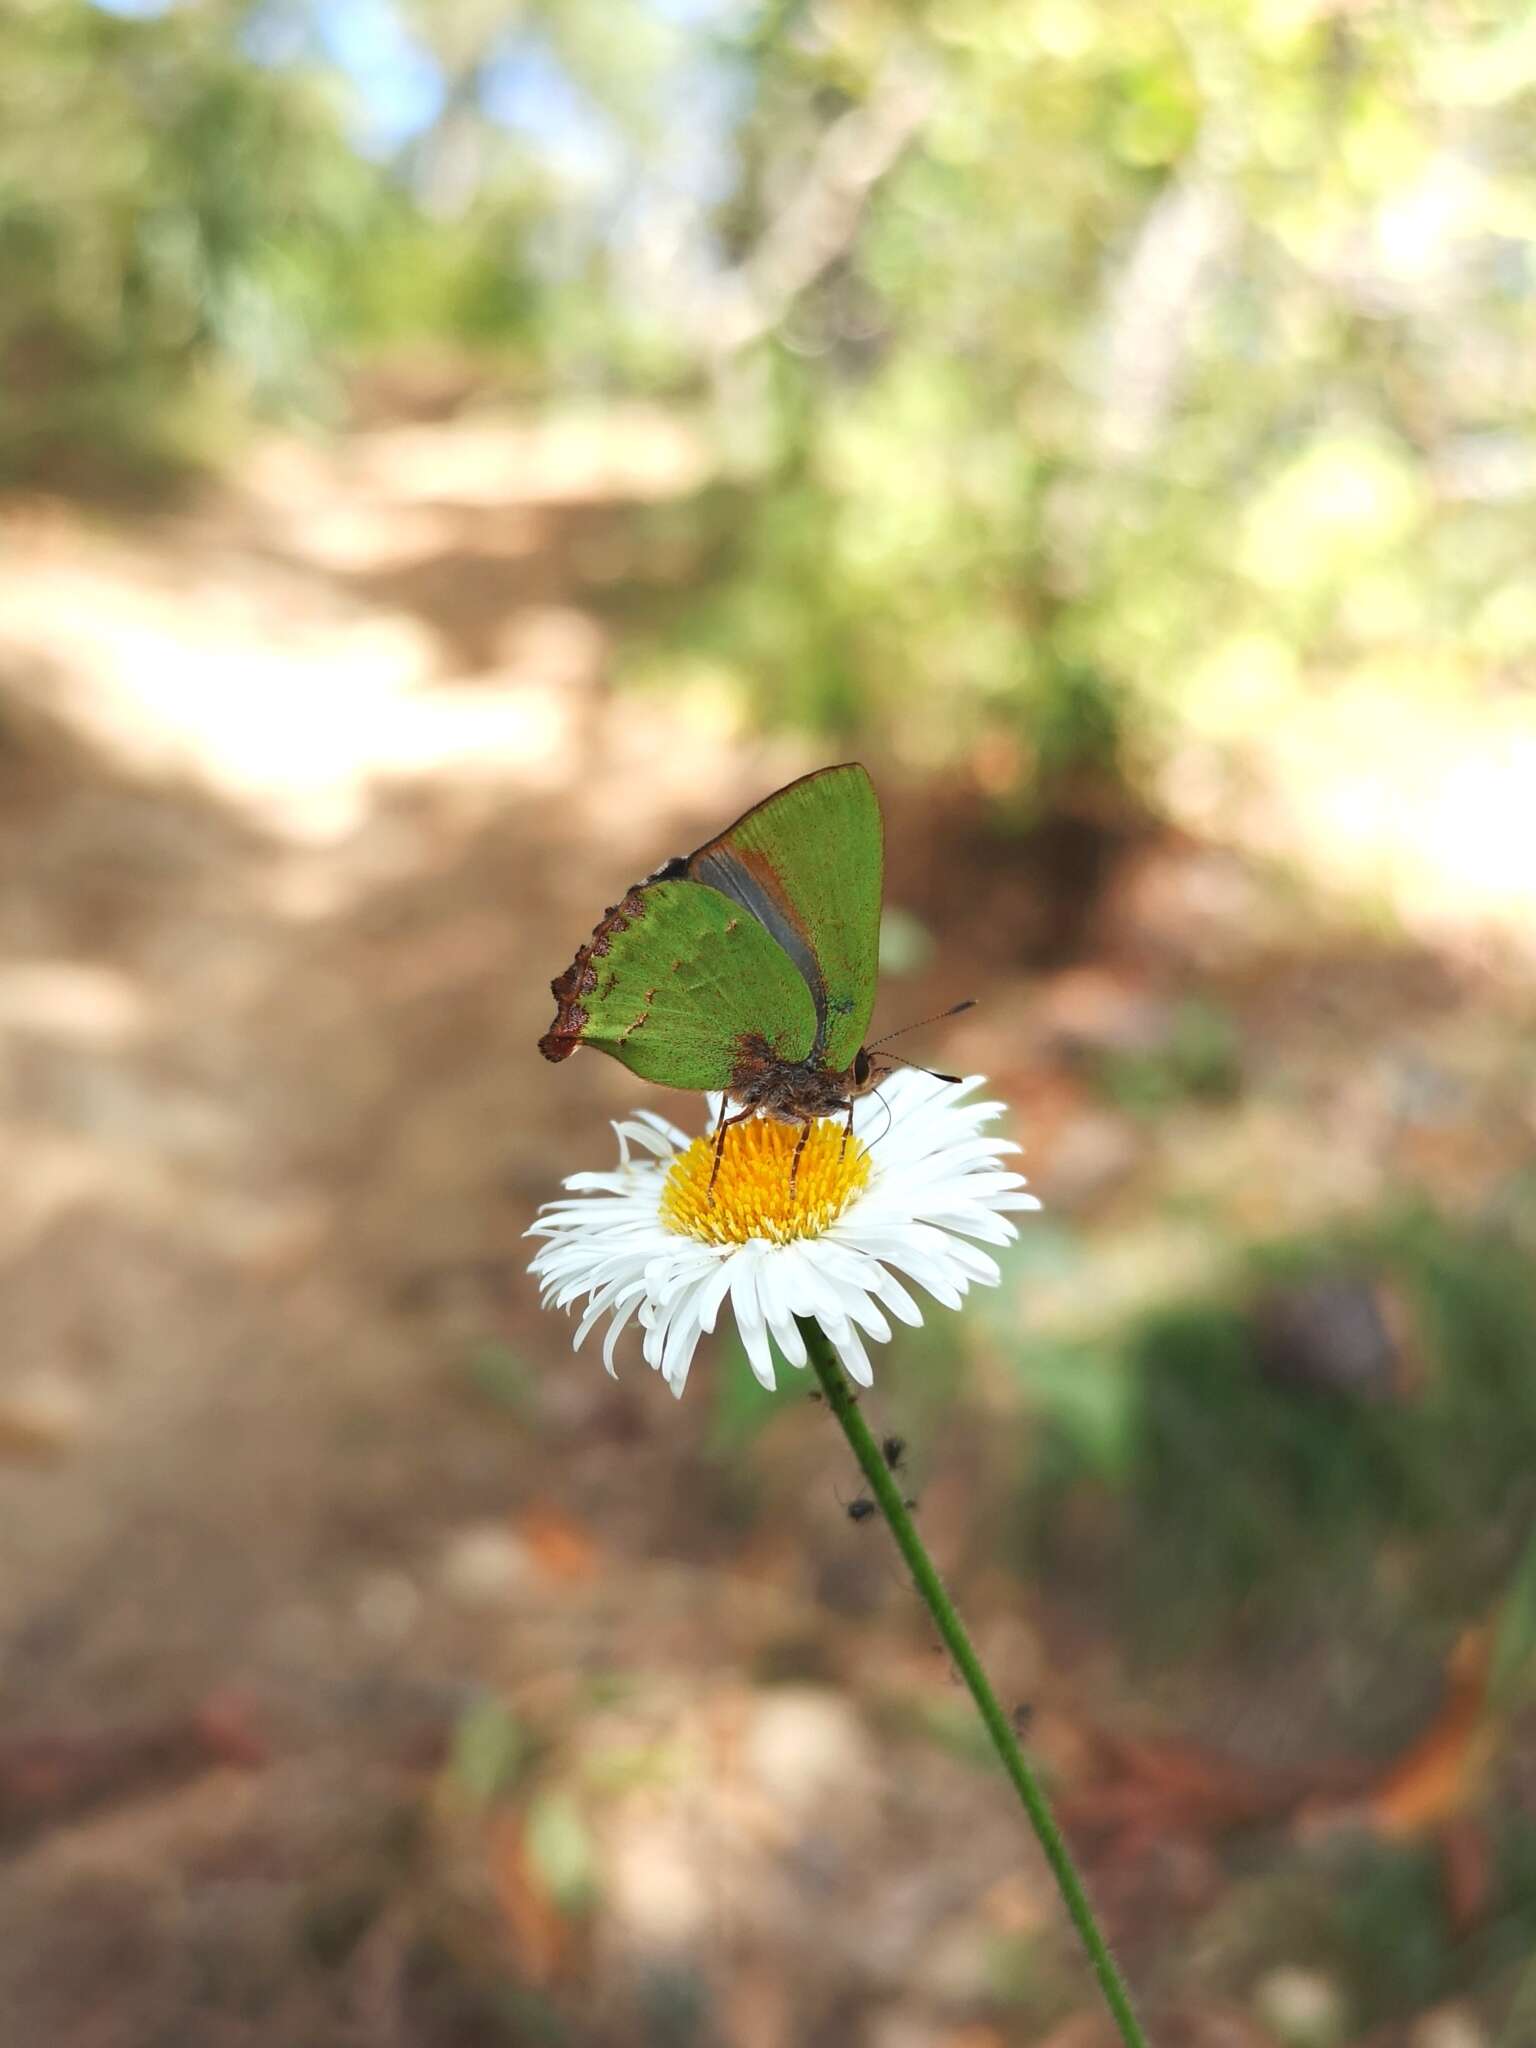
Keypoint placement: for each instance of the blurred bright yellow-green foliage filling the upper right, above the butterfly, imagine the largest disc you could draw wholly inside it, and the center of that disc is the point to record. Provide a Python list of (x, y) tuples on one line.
[(1138, 390)]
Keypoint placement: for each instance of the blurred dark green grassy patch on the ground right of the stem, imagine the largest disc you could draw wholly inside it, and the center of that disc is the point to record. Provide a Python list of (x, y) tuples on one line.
[(1240, 1494)]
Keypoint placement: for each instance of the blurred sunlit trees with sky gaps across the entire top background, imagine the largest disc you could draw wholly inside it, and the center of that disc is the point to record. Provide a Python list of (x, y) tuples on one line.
[(1093, 380)]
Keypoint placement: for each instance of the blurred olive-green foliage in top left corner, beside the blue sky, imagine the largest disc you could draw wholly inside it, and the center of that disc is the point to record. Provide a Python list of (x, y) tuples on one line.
[(208, 243)]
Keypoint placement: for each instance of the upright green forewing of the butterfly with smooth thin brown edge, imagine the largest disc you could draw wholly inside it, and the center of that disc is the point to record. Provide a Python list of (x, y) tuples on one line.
[(808, 863)]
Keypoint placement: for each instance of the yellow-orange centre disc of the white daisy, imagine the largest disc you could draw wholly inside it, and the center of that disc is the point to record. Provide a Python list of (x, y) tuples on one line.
[(753, 1191)]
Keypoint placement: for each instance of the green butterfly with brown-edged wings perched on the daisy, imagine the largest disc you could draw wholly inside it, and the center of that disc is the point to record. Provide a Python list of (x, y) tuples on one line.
[(749, 966)]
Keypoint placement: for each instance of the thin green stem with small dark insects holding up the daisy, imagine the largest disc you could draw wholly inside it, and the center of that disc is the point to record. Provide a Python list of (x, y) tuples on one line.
[(841, 1400)]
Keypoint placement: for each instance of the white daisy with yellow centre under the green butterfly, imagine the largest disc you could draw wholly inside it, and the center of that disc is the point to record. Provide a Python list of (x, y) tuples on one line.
[(904, 1197)]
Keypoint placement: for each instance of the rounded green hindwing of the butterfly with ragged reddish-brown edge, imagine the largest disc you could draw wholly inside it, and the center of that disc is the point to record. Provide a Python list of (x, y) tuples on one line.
[(671, 984)]
